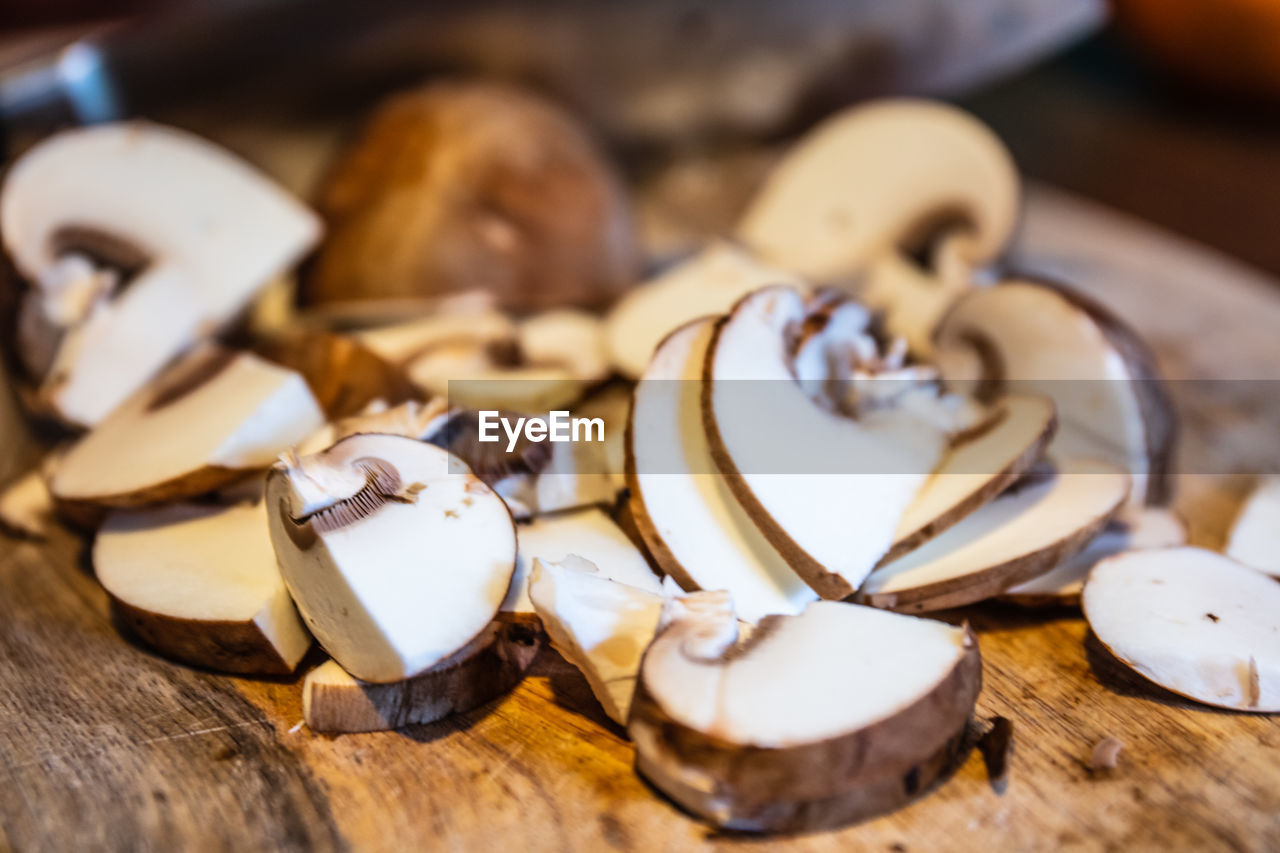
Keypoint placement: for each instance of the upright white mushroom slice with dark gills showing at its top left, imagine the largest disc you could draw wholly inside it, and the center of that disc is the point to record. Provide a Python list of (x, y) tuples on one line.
[(396, 554)]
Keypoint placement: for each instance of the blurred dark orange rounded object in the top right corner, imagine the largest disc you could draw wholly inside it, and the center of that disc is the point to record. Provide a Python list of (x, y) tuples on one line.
[(1228, 45)]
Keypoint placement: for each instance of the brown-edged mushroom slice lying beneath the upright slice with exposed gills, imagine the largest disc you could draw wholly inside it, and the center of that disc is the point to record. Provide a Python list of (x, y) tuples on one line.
[(486, 669)]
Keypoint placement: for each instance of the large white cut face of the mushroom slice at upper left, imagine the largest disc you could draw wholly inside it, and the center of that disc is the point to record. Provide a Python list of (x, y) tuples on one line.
[(204, 230)]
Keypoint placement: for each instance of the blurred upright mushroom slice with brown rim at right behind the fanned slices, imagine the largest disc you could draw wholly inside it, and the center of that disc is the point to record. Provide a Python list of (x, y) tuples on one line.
[(1043, 339)]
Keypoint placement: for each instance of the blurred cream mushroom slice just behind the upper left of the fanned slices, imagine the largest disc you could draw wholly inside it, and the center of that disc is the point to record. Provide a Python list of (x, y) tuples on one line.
[(707, 284)]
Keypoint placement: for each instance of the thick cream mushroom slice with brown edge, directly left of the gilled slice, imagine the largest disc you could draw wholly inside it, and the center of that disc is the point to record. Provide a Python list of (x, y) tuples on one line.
[(200, 585)]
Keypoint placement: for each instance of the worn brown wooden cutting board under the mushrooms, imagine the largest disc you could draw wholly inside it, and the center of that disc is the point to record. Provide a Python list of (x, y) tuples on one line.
[(104, 745)]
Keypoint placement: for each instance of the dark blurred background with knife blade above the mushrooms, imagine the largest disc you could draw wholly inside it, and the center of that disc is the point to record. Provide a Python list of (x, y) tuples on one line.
[(1168, 110)]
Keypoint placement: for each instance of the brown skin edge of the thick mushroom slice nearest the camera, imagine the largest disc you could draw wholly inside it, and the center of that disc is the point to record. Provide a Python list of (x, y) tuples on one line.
[(815, 786)]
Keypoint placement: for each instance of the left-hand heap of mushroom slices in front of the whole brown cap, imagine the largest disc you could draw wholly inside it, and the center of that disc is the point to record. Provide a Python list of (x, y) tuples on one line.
[(171, 464)]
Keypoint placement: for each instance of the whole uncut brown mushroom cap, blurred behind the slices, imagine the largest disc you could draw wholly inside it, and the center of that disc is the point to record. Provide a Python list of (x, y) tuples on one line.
[(459, 186)]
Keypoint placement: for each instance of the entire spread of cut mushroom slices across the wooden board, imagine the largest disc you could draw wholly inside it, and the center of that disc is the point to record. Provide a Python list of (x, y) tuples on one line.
[(835, 422)]
